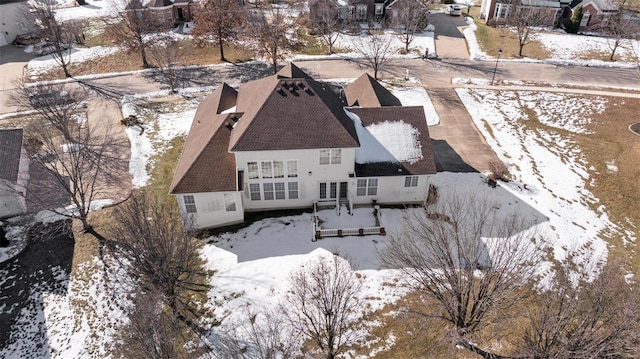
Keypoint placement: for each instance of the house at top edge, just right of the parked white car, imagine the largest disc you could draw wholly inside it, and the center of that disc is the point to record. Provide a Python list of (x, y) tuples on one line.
[(499, 11)]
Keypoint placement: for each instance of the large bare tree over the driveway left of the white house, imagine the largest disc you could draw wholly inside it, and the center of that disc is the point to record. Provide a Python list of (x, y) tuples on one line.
[(80, 159)]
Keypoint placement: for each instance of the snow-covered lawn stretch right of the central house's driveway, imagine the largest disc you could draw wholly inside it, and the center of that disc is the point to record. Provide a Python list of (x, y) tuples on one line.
[(532, 132)]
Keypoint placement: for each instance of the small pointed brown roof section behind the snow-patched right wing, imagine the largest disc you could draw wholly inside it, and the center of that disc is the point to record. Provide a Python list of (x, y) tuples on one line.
[(365, 91)]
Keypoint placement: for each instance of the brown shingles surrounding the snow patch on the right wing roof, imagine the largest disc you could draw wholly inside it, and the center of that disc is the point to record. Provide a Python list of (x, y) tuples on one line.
[(413, 115)]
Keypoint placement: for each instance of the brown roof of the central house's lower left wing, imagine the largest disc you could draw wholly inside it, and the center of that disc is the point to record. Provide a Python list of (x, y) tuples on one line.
[(206, 164)]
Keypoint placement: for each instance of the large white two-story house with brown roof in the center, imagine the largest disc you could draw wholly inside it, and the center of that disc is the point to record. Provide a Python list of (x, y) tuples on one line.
[(287, 141)]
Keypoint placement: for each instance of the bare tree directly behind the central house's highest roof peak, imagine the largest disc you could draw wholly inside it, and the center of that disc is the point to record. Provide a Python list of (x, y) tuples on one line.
[(272, 33)]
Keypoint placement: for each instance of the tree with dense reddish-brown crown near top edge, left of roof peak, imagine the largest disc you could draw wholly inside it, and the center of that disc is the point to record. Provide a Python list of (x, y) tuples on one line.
[(219, 21)]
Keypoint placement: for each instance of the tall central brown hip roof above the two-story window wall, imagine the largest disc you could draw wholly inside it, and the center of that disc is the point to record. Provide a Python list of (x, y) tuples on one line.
[(290, 114)]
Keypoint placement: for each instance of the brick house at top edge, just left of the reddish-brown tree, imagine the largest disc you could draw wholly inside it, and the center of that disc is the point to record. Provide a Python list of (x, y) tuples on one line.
[(165, 12)]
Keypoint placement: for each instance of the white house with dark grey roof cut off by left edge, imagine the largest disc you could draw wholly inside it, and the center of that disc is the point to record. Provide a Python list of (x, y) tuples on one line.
[(14, 173)]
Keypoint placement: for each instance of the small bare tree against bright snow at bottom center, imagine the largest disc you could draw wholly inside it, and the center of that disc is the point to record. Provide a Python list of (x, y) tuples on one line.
[(323, 304)]
